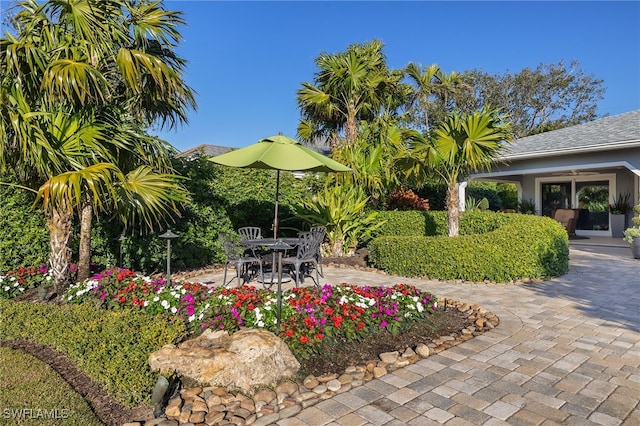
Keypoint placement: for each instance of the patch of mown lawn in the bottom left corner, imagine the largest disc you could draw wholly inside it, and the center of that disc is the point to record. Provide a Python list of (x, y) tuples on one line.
[(33, 394)]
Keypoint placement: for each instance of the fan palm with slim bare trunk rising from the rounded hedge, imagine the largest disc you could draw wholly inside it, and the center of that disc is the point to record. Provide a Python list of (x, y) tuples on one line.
[(463, 143)]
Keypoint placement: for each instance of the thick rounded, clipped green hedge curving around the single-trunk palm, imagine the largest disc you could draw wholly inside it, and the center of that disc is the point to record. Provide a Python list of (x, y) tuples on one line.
[(505, 247)]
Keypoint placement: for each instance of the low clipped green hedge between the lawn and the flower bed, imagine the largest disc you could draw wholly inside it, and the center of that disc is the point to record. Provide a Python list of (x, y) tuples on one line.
[(111, 347)]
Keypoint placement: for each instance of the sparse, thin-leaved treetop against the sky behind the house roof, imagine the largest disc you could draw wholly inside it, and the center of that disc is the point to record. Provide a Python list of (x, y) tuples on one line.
[(549, 97)]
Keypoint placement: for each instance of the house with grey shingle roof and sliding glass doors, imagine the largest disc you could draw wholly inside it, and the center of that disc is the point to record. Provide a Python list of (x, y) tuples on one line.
[(583, 167)]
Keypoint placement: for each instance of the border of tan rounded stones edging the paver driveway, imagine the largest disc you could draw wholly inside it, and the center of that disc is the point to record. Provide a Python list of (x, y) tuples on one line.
[(215, 406)]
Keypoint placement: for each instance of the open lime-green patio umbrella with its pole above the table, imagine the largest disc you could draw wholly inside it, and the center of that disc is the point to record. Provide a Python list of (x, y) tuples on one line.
[(279, 153)]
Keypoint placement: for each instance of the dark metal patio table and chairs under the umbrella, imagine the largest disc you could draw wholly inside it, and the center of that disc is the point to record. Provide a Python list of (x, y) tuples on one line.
[(256, 257)]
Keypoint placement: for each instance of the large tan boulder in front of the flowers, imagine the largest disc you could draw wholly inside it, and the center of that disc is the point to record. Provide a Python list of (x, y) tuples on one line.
[(245, 360)]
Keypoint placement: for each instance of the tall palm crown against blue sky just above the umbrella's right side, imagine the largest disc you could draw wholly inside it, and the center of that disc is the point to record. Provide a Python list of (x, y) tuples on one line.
[(349, 87)]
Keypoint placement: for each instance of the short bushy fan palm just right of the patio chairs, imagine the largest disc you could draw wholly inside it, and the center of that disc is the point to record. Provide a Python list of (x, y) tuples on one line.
[(340, 209)]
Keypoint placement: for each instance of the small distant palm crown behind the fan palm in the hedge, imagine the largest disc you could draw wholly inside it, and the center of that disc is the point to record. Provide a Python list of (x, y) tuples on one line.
[(431, 87)]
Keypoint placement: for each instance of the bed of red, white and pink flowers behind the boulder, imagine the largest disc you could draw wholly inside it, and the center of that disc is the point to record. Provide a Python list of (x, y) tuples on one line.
[(309, 316)]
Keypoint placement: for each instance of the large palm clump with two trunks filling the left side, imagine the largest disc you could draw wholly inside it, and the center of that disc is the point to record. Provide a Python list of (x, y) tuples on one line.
[(81, 81)]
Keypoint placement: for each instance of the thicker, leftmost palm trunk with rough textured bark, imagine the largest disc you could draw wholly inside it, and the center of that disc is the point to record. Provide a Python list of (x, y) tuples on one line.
[(59, 236)]
